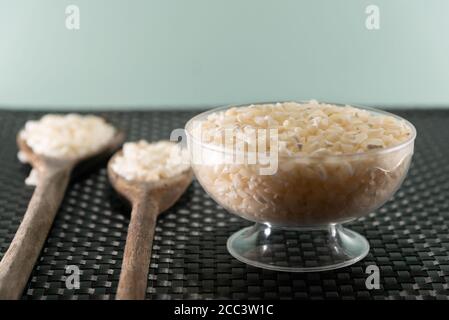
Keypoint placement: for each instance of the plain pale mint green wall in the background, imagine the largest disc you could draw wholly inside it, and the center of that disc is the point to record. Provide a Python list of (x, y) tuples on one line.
[(200, 53)]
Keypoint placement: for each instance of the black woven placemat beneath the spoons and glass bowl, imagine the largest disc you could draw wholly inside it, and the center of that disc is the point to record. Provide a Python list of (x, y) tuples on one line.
[(409, 236)]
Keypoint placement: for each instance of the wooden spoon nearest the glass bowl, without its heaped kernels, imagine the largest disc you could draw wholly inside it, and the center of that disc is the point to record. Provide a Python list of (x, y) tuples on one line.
[(148, 200)]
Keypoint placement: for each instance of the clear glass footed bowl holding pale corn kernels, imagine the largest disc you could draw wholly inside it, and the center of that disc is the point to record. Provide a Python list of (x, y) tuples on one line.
[(299, 208)]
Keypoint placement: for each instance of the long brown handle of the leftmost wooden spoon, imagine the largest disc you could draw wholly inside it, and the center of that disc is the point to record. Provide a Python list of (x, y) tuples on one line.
[(24, 250)]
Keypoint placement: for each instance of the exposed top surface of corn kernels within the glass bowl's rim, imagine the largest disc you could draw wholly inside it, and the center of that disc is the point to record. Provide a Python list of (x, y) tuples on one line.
[(309, 128)]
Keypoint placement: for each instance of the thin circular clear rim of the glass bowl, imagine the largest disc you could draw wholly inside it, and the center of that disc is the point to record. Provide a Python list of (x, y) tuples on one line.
[(301, 155)]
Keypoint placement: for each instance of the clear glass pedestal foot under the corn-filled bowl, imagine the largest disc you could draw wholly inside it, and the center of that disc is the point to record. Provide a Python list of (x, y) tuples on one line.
[(298, 250)]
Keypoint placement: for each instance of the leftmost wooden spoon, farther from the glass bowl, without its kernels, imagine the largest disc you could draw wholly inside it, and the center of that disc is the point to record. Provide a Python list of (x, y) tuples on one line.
[(53, 178)]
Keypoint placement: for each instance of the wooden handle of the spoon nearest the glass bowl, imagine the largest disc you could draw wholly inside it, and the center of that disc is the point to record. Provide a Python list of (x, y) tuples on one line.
[(136, 258)]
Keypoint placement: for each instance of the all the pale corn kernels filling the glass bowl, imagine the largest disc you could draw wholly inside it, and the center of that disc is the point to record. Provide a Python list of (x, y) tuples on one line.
[(316, 182)]
